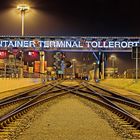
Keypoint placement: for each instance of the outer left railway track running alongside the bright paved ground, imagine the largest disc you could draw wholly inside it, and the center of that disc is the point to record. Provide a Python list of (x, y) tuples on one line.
[(9, 104)]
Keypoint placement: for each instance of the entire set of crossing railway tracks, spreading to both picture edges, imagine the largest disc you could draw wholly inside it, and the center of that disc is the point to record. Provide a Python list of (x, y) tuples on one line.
[(125, 109)]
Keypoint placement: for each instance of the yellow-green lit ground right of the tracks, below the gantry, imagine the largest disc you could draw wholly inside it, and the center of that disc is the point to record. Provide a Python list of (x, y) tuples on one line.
[(125, 87)]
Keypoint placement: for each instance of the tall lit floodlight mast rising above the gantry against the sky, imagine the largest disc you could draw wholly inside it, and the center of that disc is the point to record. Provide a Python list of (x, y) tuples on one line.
[(22, 8)]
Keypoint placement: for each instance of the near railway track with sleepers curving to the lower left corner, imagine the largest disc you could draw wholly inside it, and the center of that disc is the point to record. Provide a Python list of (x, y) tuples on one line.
[(34, 100)]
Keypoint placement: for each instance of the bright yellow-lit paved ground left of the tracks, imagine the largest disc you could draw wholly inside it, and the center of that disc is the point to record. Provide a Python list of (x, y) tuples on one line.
[(9, 87)]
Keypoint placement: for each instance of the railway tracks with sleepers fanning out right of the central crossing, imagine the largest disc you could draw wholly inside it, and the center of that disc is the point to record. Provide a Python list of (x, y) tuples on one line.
[(126, 109)]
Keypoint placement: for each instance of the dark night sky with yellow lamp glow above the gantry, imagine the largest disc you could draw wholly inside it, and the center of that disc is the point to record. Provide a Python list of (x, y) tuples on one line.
[(73, 17)]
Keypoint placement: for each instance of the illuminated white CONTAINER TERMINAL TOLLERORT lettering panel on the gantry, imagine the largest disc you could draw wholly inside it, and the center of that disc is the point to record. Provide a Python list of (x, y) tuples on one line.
[(69, 44)]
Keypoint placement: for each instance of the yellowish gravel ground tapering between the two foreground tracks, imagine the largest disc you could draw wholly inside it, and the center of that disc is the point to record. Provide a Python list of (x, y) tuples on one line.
[(69, 119)]
